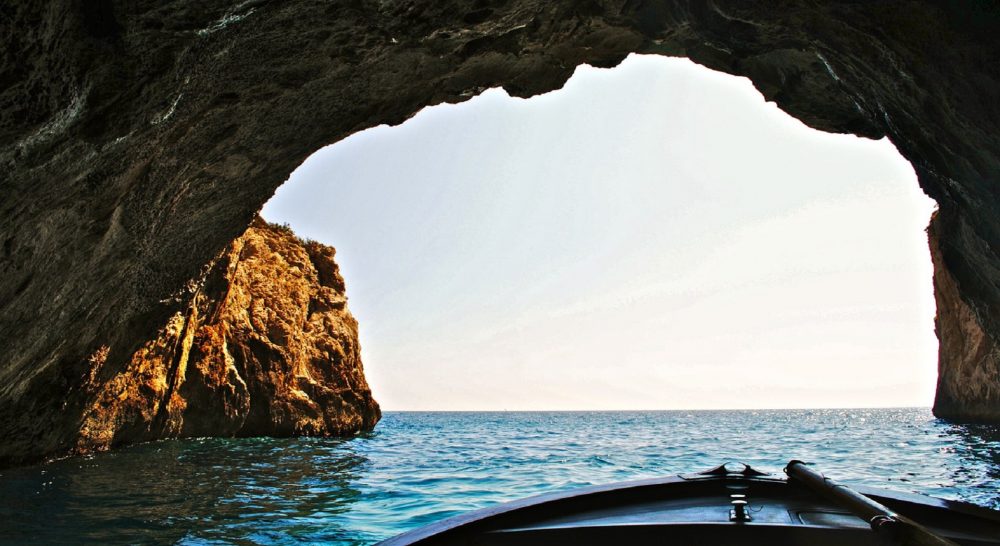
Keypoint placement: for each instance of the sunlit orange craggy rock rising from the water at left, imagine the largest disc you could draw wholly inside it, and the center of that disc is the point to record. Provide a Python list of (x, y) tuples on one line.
[(267, 346)]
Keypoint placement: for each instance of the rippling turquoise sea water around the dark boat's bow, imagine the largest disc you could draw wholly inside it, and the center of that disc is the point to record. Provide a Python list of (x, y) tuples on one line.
[(416, 468)]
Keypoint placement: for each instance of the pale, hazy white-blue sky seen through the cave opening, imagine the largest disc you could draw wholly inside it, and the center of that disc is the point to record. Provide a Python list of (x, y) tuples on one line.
[(653, 236)]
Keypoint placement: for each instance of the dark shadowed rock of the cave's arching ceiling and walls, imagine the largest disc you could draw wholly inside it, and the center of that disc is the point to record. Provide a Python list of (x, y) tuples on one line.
[(139, 139)]
